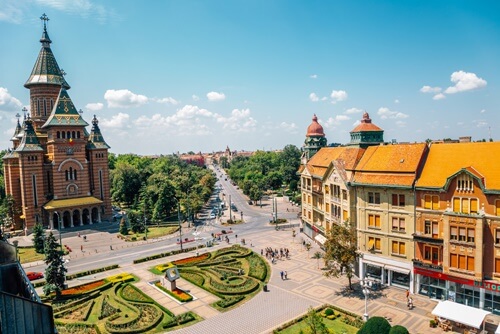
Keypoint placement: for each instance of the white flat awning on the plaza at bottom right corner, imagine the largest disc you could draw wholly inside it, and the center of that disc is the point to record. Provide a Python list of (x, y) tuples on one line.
[(463, 314)]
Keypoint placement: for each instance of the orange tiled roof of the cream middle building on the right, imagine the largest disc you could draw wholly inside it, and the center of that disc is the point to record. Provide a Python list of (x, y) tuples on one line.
[(399, 158)]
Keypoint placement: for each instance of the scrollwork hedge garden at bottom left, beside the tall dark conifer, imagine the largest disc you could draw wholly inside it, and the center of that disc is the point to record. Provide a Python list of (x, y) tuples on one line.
[(113, 305)]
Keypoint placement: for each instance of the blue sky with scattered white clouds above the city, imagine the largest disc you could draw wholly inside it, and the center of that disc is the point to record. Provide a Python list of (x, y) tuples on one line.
[(178, 76)]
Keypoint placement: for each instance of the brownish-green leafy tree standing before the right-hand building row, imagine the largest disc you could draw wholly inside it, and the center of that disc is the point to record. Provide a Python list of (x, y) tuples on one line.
[(341, 251)]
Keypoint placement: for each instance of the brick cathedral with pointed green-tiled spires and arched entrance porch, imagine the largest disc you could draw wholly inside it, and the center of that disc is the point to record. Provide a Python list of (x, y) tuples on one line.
[(56, 171)]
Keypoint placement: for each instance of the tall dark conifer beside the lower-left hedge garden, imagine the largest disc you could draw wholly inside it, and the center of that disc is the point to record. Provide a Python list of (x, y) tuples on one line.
[(55, 273)]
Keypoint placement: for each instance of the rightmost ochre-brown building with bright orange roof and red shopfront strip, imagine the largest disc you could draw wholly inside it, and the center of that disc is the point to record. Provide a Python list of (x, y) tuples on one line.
[(457, 236)]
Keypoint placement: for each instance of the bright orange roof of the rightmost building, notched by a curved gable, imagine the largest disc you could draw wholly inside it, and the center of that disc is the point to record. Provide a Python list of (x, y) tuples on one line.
[(444, 160)]
